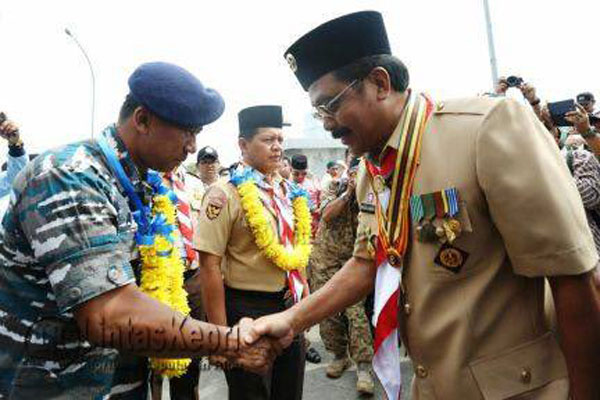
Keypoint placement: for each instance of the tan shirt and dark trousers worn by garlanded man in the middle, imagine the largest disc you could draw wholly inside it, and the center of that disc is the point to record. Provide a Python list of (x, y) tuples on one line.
[(254, 288)]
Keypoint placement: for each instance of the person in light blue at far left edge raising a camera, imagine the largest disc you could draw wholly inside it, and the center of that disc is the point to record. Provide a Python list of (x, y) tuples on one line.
[(17, 158)]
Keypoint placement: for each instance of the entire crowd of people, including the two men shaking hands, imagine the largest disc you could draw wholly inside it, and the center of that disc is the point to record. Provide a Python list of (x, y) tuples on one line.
[(473, 224)]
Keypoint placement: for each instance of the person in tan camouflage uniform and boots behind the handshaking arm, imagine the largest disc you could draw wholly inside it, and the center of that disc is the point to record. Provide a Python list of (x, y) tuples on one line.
[(347, 332)]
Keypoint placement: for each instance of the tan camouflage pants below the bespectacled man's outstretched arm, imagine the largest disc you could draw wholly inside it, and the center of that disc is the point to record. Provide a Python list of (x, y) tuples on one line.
[(348, 331)]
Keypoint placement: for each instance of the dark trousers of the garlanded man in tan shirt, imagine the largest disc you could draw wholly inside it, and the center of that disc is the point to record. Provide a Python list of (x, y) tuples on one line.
[(286, 379)]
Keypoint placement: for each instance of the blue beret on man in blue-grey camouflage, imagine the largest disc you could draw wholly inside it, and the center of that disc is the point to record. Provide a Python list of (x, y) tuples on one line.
[(175, 95)]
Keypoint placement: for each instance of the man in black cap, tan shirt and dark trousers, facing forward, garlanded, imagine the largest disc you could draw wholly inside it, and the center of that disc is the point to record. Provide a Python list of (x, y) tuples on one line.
[(249, 283)]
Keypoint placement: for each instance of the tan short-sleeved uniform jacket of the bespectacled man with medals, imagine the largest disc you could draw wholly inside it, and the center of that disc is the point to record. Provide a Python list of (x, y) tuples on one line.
[(480, 332)]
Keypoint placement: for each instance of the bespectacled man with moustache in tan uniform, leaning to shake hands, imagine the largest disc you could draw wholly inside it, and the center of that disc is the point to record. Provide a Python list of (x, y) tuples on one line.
[(471, 305)]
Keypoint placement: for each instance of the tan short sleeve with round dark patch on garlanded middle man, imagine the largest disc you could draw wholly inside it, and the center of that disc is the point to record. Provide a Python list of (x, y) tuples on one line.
[(214, 221)]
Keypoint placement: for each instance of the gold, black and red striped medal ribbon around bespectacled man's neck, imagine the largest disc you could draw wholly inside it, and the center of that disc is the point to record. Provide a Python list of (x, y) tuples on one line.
[(393, 224)]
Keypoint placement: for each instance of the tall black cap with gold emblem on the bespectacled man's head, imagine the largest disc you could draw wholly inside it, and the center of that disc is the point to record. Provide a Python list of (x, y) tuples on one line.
[(337, 43)]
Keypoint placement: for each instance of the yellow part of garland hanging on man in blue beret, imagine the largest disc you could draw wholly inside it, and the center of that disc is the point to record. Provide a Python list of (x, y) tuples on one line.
[(162, 279)]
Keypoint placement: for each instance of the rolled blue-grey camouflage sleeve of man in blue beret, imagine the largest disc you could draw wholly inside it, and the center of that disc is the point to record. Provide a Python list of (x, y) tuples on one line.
[(71, 220)]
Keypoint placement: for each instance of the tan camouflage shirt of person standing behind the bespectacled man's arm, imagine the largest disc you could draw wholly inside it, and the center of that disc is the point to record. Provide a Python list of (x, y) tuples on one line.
[(334, 241)]
